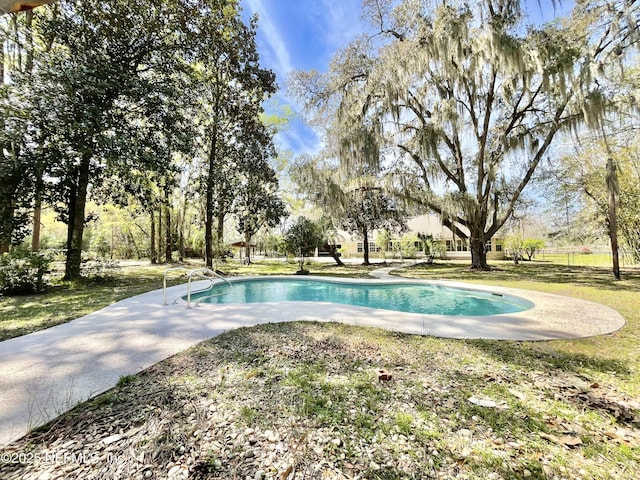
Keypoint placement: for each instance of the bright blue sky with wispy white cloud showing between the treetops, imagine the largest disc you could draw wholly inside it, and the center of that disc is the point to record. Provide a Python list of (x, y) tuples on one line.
[(305, 34)]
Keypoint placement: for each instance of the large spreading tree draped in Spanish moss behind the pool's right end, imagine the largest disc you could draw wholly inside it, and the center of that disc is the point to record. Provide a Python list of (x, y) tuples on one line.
[(468, 99)]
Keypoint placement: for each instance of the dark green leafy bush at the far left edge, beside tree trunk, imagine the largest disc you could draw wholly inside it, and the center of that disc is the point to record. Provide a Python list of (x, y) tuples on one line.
[(22, 273)]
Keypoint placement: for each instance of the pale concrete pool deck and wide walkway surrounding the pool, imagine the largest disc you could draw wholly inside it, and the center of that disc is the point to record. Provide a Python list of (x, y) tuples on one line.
[(48, 372)]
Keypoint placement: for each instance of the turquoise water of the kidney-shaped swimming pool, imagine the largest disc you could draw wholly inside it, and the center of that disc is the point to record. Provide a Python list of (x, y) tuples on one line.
[(402, 297)]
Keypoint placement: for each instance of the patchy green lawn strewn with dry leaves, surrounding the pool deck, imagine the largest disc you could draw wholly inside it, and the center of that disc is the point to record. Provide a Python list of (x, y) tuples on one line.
[(303, 400)]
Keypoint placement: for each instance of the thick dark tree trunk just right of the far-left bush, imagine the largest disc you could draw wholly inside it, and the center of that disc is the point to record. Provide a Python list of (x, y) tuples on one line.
[(75, 228)]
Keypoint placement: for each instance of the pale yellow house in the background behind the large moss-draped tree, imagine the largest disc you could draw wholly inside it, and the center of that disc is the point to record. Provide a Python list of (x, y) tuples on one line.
[(452, 247)]
